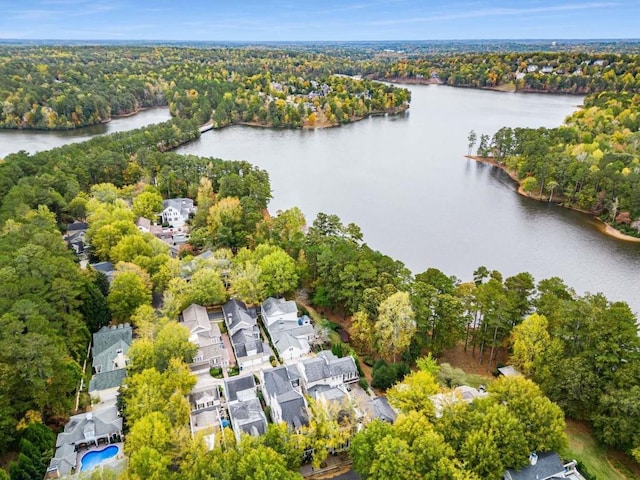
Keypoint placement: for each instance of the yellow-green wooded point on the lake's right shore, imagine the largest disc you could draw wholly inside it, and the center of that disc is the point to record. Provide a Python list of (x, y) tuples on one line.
[(591, 163)]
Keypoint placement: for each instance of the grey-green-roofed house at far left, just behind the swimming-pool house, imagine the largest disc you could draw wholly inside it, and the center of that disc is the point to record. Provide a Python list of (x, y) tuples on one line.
[(109, 353)]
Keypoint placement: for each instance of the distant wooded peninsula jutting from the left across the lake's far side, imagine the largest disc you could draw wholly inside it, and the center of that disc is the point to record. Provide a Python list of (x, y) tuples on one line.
[(60, 88)]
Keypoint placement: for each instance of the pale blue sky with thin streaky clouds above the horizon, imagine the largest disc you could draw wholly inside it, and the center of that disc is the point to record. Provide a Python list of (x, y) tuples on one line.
[(340, 20)]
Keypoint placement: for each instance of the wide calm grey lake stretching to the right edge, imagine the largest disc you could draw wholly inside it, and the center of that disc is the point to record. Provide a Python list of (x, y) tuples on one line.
[(404, 180)]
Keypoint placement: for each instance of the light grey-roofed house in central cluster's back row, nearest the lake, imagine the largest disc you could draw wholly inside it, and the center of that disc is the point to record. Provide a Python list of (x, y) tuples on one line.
[(289, 333)]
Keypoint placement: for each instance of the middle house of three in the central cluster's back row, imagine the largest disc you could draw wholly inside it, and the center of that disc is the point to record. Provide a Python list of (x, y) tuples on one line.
[(244, 333)]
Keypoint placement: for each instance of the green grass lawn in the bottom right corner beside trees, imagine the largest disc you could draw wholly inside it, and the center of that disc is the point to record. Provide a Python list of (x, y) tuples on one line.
[(599, 461)]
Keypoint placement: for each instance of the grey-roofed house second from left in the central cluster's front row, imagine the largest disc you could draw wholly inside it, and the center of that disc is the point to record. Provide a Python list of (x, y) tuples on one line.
[(245, 411)]
